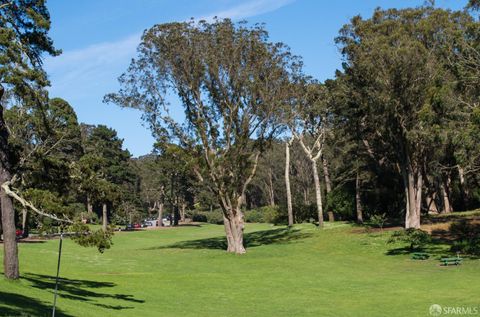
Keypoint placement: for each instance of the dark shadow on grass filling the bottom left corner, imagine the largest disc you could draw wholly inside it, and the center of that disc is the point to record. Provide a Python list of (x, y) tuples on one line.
[(20, 305)]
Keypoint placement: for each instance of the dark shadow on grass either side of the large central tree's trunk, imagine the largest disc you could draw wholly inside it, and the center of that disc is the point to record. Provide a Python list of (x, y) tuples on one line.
[(253, 239)]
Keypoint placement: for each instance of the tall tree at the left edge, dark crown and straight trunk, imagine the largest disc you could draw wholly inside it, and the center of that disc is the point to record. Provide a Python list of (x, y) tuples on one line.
[(23, 41)]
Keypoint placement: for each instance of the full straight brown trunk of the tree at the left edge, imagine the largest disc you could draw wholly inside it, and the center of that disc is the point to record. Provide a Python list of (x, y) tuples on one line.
[(10, 251)]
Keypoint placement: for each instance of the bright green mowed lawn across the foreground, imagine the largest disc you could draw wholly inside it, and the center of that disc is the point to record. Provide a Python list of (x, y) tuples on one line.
[(338, 271)]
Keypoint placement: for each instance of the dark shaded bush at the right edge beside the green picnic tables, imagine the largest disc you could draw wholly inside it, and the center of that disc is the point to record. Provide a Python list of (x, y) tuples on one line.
[(467, 237)]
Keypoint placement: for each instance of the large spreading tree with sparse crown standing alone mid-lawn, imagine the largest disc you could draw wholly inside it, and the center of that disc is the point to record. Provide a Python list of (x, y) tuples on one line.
[(232, 84)]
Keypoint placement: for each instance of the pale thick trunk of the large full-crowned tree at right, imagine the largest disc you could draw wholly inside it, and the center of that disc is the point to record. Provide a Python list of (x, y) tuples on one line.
[(413, 182)]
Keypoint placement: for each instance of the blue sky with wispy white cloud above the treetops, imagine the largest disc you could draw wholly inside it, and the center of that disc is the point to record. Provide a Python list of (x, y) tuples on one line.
[(99, 38)]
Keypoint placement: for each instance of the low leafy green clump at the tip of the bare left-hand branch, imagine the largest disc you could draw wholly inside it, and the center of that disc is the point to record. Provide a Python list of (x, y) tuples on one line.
[(85, 237)]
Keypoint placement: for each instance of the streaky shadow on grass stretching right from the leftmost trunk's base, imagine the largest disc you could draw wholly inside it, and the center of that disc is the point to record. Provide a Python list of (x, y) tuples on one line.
[(81, 290)]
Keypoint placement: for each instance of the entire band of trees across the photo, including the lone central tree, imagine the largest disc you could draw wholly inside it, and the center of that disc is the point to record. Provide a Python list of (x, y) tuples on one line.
[(394, 132)]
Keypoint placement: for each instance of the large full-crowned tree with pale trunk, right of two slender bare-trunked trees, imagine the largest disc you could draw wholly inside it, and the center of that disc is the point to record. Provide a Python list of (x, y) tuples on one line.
[(396, 63)]
